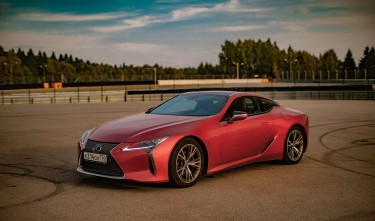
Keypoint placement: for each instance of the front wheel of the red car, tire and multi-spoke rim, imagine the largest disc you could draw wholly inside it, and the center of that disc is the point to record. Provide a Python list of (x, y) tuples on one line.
[(186, 163)]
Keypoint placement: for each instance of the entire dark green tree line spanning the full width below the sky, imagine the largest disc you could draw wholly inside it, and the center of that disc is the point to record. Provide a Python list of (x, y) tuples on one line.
[(240, 59)]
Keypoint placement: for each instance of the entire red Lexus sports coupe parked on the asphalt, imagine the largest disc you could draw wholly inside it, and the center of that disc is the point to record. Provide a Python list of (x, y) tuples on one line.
[(194, 134)]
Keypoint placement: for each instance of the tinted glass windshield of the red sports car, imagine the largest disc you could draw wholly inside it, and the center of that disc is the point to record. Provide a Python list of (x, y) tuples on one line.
[(192, 105)]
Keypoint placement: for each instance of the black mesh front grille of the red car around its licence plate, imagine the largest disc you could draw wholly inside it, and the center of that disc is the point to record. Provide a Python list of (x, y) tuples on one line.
[(111, 168)]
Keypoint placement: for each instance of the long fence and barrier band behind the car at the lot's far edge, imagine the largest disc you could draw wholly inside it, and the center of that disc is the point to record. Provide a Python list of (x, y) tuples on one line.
[(302, 90)]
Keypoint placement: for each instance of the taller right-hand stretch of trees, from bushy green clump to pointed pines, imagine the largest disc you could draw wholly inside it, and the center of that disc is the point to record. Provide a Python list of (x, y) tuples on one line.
[(264, 58)]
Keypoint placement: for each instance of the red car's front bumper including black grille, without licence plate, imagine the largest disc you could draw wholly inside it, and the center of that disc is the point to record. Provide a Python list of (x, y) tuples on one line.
[(137, 165)]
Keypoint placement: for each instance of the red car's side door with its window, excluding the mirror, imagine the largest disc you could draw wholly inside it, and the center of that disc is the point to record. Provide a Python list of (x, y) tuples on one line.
[(247, 137)]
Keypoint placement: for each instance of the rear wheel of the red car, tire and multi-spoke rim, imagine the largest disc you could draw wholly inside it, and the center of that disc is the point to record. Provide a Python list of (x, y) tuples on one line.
[(294, 146)]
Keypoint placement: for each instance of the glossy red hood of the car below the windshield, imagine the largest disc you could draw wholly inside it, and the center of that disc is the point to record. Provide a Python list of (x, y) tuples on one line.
[(141, 127)]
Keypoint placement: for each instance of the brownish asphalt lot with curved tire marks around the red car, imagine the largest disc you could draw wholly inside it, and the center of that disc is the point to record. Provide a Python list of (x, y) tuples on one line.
[(38, 180)]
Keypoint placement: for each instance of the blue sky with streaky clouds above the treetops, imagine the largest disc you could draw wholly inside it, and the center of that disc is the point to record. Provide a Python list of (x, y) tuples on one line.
[(177, 33)]
